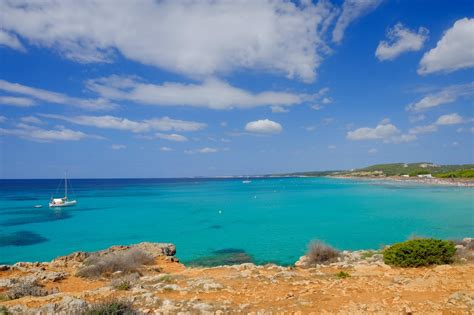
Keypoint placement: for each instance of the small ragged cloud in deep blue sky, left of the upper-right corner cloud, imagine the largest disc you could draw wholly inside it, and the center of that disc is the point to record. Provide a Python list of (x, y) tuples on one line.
[(400, 40)]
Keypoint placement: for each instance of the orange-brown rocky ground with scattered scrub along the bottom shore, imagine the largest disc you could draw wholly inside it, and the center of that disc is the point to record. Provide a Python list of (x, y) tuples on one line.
[(358, 282)]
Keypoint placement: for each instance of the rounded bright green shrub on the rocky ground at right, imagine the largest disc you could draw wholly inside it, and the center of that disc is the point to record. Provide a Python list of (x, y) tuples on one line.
[(420, 252)]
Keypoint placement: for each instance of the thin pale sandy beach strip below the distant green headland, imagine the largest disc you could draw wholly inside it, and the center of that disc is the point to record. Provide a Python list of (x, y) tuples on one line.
[(458, 182)]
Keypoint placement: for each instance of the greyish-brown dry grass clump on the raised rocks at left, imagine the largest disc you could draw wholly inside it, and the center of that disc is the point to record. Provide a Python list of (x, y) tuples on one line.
[(126, 261)]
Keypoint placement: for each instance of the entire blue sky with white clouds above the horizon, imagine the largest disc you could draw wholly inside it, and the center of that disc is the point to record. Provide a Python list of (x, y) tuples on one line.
[(212, 88)]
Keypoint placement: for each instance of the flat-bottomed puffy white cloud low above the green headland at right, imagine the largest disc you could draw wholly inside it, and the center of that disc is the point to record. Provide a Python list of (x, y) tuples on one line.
[(385, 131)]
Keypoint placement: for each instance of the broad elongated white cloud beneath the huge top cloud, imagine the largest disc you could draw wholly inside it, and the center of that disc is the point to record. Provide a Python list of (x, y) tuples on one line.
[(212, 93)]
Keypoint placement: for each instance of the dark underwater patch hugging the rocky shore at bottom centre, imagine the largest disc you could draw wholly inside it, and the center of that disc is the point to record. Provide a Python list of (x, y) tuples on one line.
[(226, 256)]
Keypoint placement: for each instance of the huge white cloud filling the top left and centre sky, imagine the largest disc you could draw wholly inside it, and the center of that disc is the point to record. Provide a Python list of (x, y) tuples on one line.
[(197, 38)]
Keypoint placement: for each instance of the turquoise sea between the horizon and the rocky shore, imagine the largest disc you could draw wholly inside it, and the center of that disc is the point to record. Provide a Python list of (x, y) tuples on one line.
[(267, 220)]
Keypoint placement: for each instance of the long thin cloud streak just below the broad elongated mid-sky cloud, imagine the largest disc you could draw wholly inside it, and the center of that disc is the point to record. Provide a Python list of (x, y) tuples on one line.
[(113, 122)]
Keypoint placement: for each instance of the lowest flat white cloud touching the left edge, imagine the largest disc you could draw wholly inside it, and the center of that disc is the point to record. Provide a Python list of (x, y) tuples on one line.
[(42, 135)]
